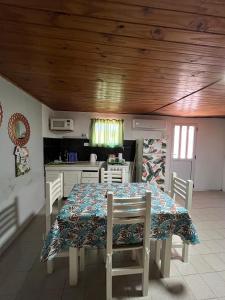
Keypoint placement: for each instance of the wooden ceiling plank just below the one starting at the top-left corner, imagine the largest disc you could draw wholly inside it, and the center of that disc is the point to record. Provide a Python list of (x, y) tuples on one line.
[(140, 31)]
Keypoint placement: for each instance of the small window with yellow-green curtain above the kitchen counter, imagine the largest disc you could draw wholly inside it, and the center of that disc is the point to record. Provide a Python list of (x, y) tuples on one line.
[(106, 133)]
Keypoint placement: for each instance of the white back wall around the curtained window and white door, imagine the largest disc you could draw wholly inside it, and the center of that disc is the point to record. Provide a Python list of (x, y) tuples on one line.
[(210, 148)]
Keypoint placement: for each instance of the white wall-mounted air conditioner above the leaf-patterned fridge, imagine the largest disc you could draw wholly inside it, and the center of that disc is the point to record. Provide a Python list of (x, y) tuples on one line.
[(146, 124)]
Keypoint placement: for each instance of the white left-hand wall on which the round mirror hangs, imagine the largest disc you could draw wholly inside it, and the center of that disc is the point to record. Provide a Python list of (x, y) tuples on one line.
[(28, 189)]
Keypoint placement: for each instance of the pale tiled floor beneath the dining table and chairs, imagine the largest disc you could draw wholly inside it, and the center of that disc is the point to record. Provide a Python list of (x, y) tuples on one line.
[(23, 277)]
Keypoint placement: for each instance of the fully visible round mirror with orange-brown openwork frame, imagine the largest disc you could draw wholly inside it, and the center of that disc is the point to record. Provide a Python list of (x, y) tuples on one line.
[(19, 129)]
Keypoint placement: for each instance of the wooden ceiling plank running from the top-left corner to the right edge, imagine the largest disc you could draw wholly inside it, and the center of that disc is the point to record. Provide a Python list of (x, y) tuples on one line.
[(128, 13)]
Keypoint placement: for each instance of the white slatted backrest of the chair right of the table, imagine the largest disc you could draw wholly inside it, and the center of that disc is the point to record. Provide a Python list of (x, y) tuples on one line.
[(183, 188)]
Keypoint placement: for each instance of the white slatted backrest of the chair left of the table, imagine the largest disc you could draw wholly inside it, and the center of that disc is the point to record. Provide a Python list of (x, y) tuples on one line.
[(54, 191)]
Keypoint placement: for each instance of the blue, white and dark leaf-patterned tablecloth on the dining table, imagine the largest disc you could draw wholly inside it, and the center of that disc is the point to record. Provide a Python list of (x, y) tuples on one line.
[(82, 220)]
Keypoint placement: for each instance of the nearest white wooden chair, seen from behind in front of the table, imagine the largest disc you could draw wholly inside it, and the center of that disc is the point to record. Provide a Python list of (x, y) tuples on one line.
[(128, 211)]
